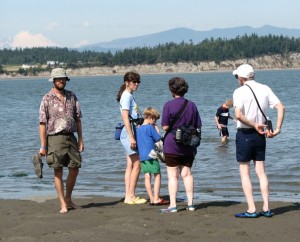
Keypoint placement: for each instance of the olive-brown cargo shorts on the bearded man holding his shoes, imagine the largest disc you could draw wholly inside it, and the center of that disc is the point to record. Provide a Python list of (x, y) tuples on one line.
[(63, 151)]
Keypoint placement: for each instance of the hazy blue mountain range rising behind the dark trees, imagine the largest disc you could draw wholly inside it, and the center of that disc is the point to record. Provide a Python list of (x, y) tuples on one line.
[(187, 35)]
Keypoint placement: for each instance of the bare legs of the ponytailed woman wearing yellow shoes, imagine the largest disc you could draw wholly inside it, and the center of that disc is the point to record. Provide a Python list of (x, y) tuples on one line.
[(131, 176)]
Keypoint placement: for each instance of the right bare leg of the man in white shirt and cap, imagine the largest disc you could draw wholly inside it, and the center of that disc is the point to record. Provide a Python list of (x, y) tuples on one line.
[(264, 183)]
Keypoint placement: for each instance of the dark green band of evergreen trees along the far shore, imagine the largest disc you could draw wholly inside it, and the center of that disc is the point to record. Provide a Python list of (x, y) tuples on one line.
[(247, 46)]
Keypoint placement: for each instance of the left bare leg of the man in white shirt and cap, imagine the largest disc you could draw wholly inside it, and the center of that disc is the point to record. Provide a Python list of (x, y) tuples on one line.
[(247, 185)]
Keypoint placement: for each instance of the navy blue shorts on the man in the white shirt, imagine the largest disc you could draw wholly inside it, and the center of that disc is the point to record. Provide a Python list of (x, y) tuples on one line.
[(250, 145)]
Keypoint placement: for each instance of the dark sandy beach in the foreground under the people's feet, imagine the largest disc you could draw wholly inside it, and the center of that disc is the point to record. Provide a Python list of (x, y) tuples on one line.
[(109, 219)]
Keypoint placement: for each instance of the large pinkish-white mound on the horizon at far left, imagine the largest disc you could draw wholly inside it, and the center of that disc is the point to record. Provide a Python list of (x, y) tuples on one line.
[(25, 39)]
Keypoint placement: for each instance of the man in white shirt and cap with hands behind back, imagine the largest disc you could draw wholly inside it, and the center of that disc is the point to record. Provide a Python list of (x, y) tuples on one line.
[(252, 132)]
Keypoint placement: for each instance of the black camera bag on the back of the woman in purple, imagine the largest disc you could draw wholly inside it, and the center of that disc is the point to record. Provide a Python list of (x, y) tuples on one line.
[(188, 135)]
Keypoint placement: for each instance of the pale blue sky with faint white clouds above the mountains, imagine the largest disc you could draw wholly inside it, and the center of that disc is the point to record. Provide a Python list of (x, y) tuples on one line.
[(73, 23)]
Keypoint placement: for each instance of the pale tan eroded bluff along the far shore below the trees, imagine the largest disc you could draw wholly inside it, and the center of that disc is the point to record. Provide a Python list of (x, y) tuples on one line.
[(273, 62)]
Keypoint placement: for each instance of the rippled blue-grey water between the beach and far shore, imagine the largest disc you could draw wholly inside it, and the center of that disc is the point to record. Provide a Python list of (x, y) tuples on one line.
[(215, 169)]
